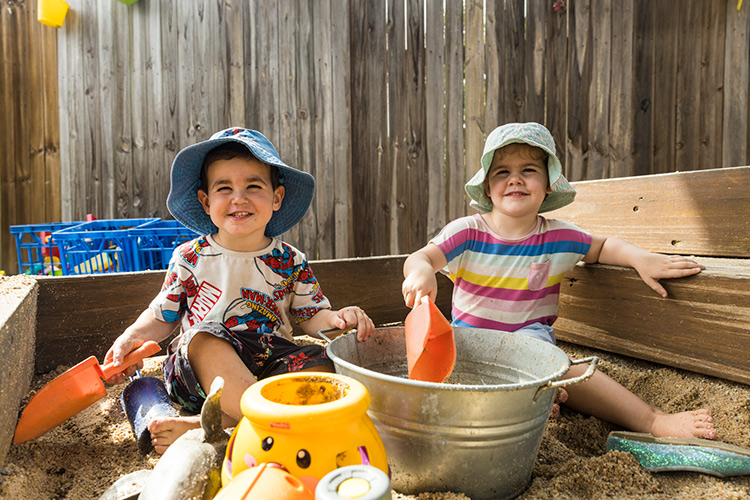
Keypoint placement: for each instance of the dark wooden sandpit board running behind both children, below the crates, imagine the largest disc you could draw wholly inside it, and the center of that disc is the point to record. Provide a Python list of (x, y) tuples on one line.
[(80, 316)]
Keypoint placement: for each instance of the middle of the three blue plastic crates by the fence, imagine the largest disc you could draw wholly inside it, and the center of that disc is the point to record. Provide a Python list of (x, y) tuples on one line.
[(100, 246)]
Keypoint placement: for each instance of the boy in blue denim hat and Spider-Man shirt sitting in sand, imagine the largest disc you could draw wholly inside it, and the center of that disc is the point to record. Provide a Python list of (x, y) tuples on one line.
[(236, 289)]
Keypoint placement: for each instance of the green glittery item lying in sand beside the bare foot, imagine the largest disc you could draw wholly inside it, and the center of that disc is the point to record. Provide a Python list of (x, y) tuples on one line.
[(682, 454)]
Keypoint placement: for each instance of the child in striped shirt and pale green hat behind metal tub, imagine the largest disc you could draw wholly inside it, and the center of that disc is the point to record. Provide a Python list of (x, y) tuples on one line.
[(507, 264)]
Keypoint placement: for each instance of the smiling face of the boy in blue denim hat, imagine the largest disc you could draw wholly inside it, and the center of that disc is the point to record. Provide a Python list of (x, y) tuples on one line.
[(240, 200)]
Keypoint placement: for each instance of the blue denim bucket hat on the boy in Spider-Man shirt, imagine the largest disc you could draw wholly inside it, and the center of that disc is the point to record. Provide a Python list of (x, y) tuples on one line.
[(183, 202)]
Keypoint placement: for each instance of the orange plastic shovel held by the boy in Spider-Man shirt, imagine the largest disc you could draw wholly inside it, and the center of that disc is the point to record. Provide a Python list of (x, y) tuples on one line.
[(71, 392)]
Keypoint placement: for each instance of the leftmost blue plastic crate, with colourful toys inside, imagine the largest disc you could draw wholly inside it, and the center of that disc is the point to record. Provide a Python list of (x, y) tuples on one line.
[(36, 249)]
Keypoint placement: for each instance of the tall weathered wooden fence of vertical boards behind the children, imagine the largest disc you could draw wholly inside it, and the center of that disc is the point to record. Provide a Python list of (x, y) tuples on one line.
[(387, 103)]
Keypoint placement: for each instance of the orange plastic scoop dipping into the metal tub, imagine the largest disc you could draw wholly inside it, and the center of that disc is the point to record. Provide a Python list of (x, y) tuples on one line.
[(430, 346)]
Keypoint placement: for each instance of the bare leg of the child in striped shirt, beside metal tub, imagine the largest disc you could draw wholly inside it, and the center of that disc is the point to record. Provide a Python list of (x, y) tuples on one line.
[(605, 398)]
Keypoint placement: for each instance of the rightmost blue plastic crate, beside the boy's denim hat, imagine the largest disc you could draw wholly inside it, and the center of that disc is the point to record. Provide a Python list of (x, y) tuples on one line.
[(155, 242)]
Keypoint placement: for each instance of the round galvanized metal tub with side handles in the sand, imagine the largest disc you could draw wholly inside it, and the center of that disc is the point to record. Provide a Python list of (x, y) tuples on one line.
[(478, 432)]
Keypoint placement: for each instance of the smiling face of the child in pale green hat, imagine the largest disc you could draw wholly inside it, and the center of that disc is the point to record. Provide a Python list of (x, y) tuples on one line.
[(517, 181)]
